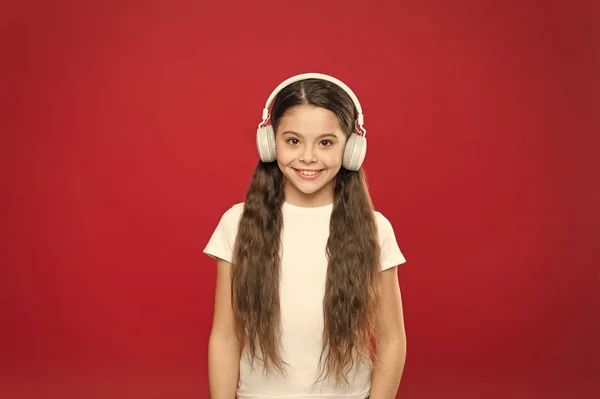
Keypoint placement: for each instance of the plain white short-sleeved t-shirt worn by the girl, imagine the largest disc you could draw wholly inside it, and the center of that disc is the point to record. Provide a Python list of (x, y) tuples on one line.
[(302, 286)]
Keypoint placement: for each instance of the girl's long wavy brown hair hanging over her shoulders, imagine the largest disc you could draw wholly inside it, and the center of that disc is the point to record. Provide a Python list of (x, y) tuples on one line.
[(352, 286)]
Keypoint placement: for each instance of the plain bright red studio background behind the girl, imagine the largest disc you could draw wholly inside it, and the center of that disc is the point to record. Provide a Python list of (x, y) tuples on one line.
[(128, 129)]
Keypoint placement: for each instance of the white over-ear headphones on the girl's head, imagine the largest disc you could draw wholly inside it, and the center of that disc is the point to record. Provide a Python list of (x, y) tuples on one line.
[(356, 145)]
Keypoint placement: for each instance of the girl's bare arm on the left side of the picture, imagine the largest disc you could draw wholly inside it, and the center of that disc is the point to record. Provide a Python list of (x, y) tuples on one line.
[(223, 346)]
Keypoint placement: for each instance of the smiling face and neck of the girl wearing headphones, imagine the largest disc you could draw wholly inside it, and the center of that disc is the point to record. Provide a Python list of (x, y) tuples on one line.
[(310, 149)]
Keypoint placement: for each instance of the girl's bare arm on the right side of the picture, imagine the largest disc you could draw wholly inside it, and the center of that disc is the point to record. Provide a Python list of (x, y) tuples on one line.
[(391, 339)]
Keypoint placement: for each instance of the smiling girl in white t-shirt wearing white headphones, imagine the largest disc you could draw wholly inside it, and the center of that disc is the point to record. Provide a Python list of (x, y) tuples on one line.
[(307, 300)]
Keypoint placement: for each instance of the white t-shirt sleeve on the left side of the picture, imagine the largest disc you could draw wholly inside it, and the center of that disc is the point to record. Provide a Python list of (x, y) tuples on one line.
[(222, 242)]
